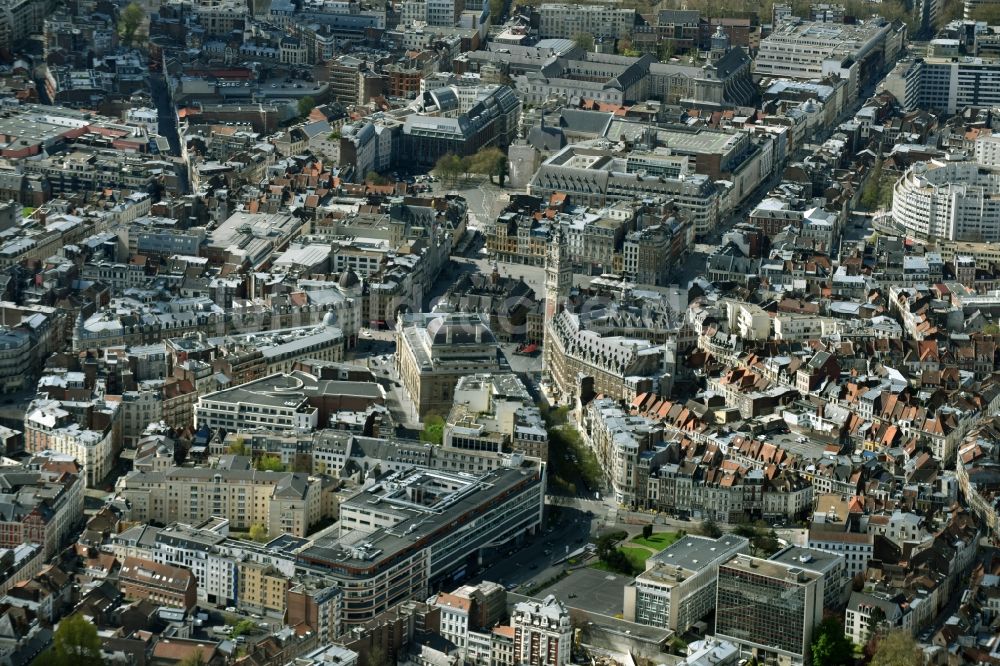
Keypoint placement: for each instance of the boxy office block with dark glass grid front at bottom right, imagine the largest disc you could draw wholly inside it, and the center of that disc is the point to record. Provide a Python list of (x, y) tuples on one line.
[(769, 609)]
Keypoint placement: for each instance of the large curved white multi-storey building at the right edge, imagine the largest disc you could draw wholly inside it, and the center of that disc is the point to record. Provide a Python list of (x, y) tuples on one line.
[(952, 201)]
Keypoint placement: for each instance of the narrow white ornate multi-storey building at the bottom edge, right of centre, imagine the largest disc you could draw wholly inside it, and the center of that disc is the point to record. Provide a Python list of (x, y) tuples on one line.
[(543, 633)]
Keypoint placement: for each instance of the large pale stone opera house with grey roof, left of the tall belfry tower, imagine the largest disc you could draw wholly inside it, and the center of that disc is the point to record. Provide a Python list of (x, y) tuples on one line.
[(434, 350)]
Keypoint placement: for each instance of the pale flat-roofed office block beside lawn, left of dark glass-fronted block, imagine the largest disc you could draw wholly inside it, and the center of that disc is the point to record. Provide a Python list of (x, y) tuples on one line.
[(678, 587)]
